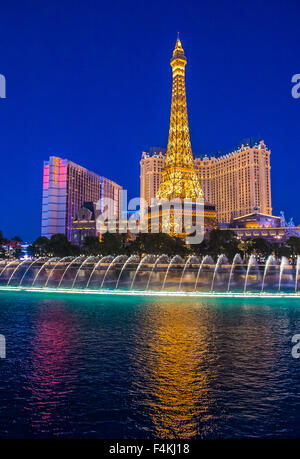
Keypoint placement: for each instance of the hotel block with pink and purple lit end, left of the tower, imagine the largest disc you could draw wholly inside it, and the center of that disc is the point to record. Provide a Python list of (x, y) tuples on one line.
[(66, 186)]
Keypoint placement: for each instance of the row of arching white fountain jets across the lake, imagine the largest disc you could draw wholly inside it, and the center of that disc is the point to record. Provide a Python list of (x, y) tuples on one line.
[(154, 275)]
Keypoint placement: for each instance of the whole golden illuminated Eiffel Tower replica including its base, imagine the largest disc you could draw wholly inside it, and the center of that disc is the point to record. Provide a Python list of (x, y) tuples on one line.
[(179, 181)]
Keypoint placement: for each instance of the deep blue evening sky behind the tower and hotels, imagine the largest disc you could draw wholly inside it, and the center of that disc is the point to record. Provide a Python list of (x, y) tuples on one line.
[(91, 81)]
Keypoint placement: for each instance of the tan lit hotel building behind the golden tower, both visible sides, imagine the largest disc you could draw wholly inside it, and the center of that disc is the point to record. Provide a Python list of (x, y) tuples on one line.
[(237, 183)]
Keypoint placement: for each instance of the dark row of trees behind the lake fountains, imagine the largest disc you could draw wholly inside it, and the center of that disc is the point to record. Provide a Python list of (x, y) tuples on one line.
[(218, 242)]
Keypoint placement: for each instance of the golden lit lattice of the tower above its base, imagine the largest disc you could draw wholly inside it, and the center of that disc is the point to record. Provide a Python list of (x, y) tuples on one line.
[(179, 178)]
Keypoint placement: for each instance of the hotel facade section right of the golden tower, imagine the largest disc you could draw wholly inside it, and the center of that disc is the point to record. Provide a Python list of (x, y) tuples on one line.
[(238, 182)]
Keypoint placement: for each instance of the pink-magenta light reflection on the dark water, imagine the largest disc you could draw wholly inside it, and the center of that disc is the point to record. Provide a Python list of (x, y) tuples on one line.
[(51, 375)]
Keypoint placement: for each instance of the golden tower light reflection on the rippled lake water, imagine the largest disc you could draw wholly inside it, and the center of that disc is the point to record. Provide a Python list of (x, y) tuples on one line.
[(173, 368)]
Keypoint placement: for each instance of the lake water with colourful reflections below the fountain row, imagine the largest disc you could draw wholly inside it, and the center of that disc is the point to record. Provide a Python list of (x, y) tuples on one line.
[(131, 367)]
